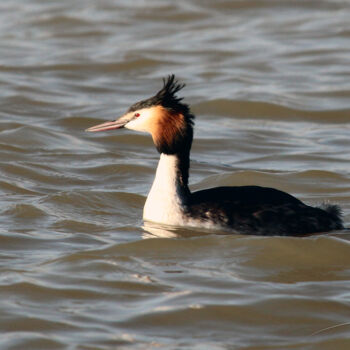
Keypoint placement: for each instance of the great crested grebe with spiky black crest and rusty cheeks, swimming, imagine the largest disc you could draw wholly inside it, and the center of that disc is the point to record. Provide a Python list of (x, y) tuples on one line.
[(245, 209)]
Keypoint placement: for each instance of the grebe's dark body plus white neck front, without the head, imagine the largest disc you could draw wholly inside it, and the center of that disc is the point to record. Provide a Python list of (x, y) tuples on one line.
[(243, 209)]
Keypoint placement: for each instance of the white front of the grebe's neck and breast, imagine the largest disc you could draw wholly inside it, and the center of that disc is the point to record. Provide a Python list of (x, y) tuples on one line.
[(166, 200)]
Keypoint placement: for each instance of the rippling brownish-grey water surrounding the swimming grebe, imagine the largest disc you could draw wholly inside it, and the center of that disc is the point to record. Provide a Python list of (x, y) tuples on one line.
[(269, 83)]
